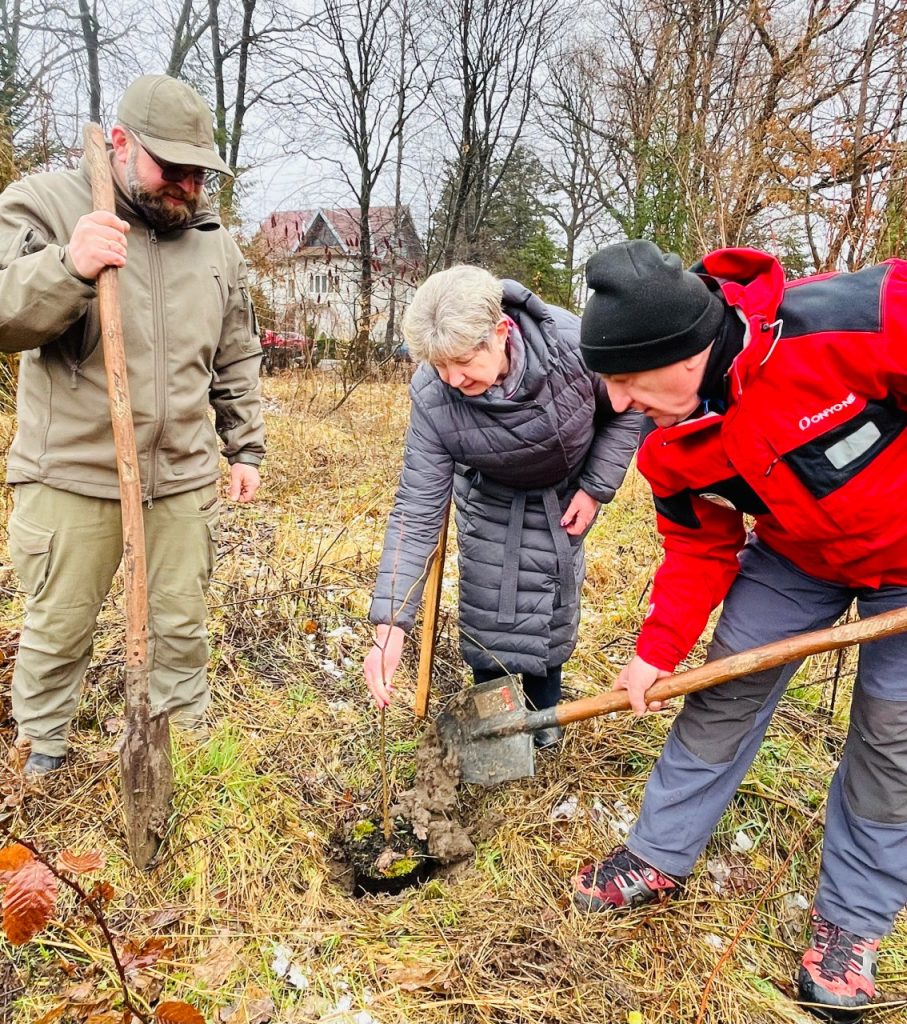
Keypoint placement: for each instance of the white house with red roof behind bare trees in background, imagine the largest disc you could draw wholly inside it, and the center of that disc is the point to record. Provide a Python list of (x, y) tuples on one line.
[(308, 267)]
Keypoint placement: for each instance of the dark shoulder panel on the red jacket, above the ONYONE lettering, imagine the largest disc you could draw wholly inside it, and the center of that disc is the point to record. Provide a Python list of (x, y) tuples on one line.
[(842, 303)]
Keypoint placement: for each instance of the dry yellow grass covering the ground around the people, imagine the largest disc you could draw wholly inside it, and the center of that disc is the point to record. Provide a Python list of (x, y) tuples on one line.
[(293, 757)]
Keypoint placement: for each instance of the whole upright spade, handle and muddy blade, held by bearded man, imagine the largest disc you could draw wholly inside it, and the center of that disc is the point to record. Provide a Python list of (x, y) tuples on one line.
[(147, 778)]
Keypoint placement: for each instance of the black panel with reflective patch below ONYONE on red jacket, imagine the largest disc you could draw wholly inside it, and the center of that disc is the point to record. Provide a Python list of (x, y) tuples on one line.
[(829, 462)]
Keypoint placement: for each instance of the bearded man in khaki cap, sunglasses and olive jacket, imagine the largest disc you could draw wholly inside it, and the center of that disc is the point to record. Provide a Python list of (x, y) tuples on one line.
[(192, 344)]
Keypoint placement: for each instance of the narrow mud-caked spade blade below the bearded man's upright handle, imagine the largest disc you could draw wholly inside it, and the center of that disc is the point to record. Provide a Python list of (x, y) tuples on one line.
[(146, 774)]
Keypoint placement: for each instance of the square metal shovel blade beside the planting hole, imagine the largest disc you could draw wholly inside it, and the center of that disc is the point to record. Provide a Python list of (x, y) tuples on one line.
[(477, 727)]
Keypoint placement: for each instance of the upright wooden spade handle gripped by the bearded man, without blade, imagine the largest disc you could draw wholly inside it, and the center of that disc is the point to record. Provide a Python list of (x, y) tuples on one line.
[(121, 415)]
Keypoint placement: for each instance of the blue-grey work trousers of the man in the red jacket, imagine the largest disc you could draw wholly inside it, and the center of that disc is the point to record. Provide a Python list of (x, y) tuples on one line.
[(863, 877)]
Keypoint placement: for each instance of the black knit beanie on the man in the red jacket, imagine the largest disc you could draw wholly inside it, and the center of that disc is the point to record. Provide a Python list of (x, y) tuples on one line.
[(645, 312)]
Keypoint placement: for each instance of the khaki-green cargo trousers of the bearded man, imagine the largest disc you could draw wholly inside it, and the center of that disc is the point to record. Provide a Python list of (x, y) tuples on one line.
[(66, 549)]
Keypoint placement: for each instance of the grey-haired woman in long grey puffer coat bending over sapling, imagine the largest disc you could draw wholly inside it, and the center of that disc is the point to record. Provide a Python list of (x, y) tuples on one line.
[(506, 415)]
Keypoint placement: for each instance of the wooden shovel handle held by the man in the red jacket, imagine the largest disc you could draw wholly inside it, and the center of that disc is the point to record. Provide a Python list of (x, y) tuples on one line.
[(768, 657)]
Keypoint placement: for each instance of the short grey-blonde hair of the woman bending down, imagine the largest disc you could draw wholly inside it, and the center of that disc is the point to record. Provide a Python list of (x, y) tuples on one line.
[(453, 313)]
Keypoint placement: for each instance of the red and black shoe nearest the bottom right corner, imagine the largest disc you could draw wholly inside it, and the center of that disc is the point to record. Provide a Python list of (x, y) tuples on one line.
[(838, 973)]
